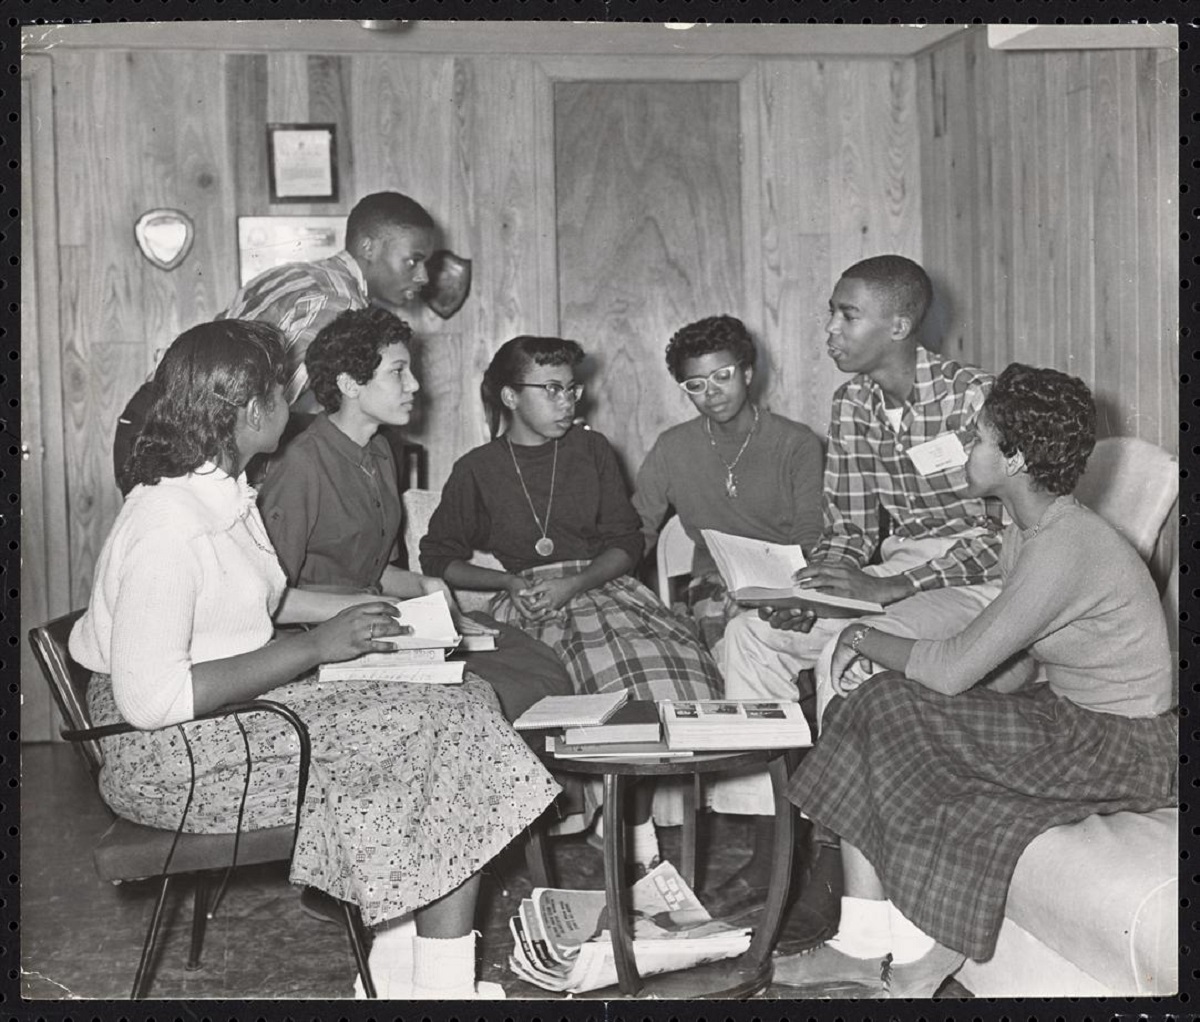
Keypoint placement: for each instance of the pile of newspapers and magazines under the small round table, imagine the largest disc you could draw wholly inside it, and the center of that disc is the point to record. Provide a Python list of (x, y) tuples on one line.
[(562, 942)]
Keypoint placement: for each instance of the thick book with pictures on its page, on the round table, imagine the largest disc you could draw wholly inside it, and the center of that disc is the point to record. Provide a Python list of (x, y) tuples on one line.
[(718, 725)]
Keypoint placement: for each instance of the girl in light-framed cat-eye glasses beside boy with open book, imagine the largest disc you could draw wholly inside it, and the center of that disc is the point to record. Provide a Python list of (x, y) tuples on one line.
[(735, 468)]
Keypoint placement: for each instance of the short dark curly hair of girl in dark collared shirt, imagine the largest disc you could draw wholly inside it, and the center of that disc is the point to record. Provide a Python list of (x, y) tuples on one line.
[(353, 344)]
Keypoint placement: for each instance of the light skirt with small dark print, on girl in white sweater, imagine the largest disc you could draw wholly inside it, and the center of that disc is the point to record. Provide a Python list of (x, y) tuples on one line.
[(412, 789)]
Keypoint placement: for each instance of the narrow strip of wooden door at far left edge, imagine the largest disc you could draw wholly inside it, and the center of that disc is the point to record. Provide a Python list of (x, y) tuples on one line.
[(45, 573)]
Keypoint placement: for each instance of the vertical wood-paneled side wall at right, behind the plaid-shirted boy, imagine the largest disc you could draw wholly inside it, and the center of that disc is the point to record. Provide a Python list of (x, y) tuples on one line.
[(1051, 209)]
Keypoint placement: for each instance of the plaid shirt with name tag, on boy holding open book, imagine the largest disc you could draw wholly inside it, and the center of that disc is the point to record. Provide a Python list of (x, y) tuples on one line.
[(867, 468)]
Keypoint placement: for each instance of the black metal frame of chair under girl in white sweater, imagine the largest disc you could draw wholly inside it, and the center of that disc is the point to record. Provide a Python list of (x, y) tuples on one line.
[(68, 682)]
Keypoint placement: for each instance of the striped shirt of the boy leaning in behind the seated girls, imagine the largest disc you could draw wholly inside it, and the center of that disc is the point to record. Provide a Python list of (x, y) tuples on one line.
[(302, 299)]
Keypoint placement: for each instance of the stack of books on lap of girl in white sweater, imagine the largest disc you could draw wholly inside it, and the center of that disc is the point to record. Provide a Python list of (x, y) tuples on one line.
[(418, 658)]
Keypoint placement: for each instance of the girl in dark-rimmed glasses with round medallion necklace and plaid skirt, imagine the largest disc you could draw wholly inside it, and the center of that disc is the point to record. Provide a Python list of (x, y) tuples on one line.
[(549, 502)]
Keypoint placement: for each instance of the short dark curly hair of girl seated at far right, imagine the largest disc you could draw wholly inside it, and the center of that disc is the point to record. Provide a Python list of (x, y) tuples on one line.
[(1049, 418)]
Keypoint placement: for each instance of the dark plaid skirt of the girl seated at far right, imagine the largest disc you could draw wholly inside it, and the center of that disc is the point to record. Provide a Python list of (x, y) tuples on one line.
[(944, 793)]
